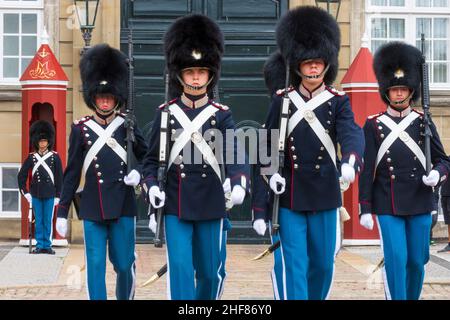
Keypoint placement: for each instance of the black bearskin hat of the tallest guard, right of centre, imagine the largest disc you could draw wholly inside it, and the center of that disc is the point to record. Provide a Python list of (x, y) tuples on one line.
[(309, 32)]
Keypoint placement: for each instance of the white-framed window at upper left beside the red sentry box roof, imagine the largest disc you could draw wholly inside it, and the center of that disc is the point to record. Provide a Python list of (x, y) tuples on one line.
[(20, 25)]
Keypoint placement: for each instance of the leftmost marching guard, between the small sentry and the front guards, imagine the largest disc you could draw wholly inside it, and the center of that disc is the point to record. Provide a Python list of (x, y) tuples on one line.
[(98, 154)]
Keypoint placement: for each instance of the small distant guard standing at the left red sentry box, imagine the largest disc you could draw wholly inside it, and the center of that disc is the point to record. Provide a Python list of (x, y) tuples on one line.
[(44, 168)]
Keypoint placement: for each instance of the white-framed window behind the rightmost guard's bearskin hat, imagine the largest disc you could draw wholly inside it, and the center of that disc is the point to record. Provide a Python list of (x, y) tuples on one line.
[(406, 20)]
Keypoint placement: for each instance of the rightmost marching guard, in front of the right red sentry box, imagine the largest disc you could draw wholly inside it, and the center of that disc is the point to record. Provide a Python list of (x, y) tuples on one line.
[(394, 184)]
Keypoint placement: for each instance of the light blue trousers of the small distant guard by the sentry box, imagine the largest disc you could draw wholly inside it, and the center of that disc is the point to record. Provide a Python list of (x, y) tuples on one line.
[(43, 215)]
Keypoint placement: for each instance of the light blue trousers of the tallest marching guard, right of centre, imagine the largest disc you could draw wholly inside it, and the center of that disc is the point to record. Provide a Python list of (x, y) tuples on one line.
[(309, 244)]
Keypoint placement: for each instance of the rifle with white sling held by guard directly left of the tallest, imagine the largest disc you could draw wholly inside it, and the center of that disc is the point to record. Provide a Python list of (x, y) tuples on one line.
[(164, 146)]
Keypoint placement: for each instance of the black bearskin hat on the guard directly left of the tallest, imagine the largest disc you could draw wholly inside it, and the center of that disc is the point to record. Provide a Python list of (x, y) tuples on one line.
[(193, 41)]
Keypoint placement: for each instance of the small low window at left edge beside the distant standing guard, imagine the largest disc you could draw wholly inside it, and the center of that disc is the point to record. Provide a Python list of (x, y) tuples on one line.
[(9, 191)]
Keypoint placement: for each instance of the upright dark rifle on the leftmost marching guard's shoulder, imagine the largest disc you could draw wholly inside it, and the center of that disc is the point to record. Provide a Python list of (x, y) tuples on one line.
[(130, 119)]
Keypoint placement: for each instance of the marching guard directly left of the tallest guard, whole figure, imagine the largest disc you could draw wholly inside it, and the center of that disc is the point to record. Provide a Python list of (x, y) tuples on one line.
[(193, 198)]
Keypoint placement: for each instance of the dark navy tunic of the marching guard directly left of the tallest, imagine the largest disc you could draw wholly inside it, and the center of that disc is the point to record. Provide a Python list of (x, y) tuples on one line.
[(194, 191)]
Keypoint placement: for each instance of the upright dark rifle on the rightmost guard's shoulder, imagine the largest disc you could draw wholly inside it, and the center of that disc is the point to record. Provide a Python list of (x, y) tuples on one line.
[(425, 94)]
